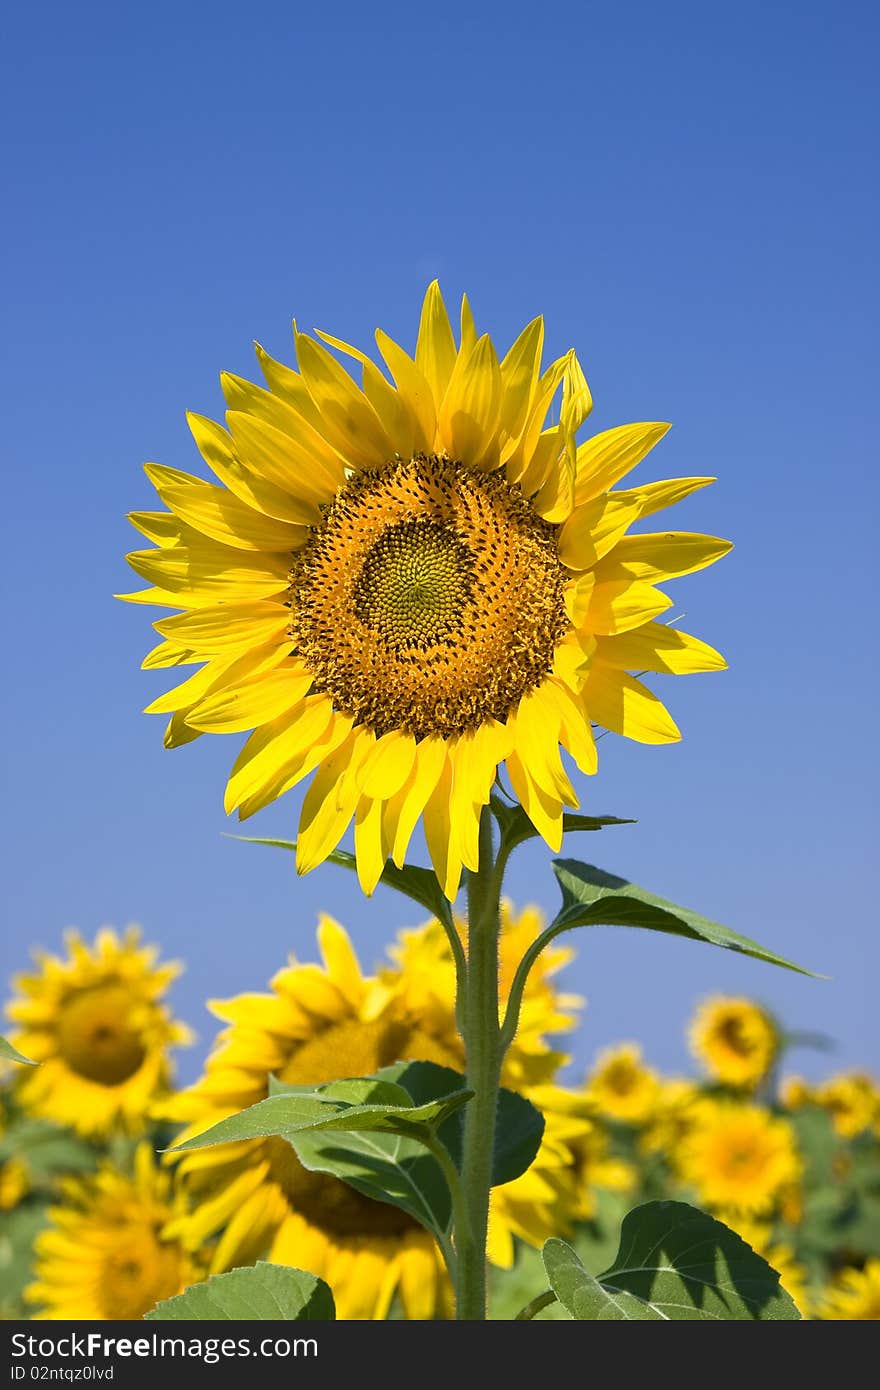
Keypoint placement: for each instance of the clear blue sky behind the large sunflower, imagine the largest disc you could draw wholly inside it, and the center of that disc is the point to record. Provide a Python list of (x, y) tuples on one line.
[(686, 193)]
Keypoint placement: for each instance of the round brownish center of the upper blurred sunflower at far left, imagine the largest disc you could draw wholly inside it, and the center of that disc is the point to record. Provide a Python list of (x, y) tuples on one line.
[(98, 1038)]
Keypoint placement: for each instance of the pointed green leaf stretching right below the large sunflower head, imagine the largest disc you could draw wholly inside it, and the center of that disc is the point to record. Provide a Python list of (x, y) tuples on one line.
[(592, 897)]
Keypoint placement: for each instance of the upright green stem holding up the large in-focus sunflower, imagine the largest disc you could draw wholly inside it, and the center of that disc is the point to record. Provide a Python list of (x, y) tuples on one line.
[(483, 1050)]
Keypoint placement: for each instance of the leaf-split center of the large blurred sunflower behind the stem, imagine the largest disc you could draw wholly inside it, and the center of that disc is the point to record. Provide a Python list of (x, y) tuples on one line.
[(348, 1049)]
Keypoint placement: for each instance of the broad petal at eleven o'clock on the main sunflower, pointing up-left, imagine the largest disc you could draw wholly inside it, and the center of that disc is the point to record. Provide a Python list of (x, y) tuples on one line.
[(348, 419)]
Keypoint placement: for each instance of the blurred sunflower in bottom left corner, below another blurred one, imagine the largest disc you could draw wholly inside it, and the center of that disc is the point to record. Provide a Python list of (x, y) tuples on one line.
[(105, 1254)]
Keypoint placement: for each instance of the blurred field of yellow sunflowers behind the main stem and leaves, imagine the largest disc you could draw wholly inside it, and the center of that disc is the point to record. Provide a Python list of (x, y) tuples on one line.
[(101, 1223)]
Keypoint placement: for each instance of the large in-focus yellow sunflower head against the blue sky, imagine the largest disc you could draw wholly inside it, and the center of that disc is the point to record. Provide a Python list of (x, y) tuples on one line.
[(401, 586)]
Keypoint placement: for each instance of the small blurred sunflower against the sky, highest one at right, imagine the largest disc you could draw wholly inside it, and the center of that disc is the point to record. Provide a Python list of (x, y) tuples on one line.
[(736, 1040)]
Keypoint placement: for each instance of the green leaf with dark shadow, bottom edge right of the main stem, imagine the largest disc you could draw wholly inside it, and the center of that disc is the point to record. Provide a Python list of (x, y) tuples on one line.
[(675, 1264)]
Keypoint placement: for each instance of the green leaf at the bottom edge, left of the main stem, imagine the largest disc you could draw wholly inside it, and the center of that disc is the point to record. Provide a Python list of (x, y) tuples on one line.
[(265, 1292)]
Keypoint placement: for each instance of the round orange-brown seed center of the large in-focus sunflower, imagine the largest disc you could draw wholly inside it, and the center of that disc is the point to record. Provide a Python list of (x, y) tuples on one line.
[(429, 600)]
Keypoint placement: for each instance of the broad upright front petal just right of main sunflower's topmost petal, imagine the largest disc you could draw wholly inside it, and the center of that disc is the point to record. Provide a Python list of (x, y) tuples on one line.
[(468, 423)]
